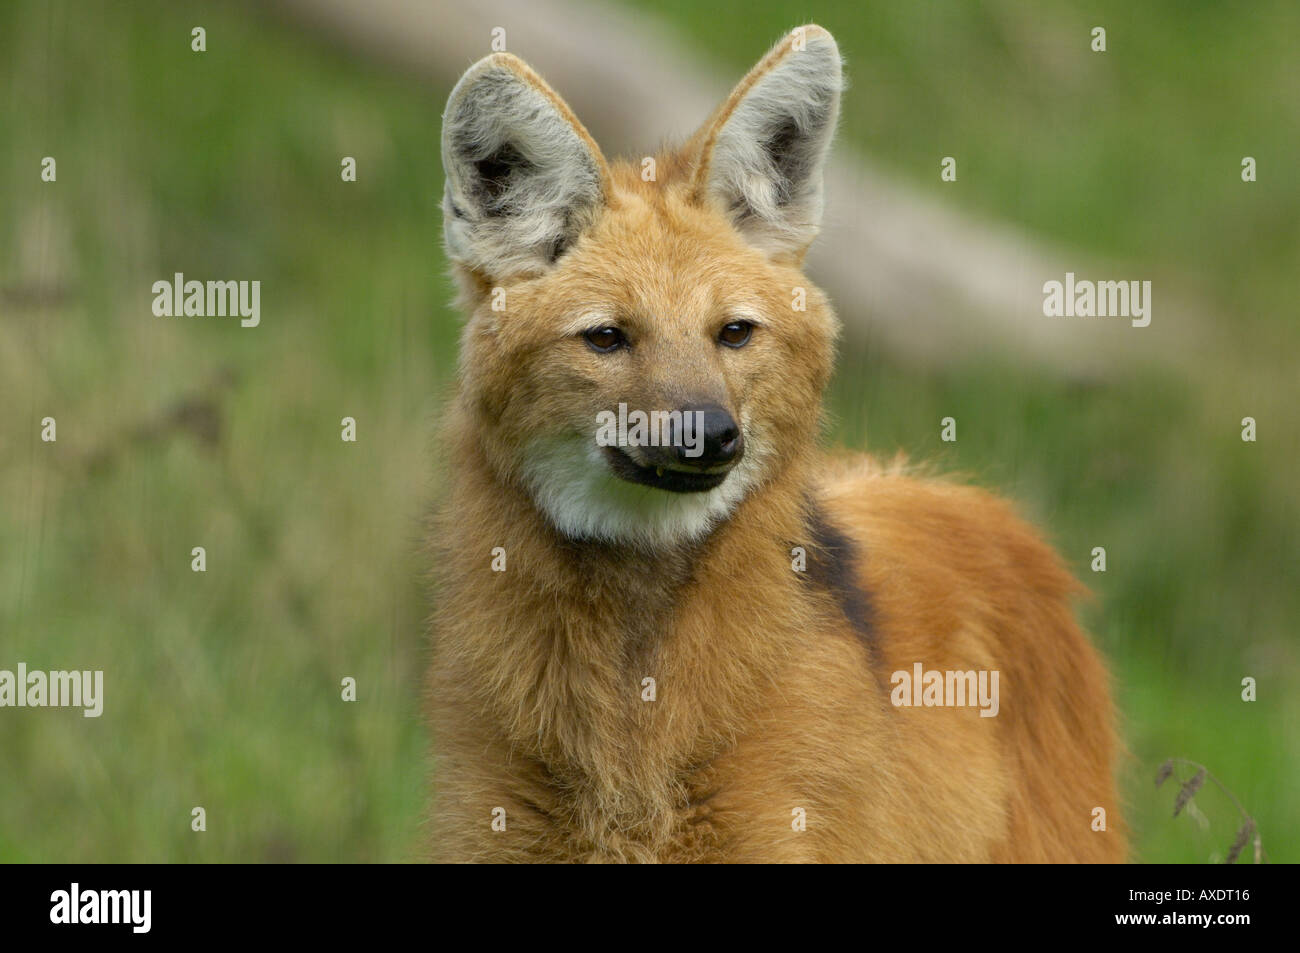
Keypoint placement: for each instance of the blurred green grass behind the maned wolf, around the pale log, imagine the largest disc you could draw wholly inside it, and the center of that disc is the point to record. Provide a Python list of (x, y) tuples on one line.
[(223, 690)]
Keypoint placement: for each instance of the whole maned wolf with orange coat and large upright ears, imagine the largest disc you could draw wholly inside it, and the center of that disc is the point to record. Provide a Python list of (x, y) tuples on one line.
[(729, 648)]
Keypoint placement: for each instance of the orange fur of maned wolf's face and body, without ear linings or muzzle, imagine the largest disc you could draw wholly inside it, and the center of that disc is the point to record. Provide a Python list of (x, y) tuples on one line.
[(770, 698)]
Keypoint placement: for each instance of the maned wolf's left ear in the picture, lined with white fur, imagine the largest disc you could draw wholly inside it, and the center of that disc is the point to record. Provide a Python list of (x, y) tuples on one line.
[(525, 177)]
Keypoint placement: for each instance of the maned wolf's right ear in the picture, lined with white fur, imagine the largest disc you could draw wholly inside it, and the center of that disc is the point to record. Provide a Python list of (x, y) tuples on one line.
[(762, 154)]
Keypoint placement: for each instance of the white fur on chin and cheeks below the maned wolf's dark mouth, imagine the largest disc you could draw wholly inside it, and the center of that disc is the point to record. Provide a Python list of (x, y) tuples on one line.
[(573, 484)]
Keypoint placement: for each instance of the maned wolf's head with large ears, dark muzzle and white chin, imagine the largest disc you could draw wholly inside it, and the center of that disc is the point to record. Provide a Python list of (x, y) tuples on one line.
[(643, 350)]
